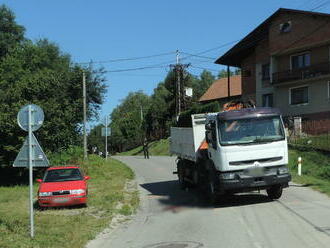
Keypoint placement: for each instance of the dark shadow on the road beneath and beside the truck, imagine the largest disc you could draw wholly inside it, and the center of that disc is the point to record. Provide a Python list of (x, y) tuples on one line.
[(169, 194)]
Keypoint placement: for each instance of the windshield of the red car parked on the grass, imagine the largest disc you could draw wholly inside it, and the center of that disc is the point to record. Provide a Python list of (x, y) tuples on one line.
[(61, 175)]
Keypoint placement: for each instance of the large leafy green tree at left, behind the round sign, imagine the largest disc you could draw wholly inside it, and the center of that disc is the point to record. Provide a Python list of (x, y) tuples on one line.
[(40, 73)]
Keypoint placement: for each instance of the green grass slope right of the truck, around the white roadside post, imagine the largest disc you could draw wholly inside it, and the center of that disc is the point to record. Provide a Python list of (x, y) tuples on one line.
[(315, 169)]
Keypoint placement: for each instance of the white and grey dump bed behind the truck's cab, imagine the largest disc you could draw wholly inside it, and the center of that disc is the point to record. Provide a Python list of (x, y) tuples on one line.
[(186, 141)]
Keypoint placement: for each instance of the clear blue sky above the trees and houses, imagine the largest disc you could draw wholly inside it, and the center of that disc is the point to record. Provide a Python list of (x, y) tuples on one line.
[(103, 30)]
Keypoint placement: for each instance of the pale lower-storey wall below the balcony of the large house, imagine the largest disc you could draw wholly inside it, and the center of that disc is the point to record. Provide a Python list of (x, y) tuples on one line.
[(318, 99)]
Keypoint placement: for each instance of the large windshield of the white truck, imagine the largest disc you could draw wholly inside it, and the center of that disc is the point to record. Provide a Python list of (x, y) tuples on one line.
[(248, 131)]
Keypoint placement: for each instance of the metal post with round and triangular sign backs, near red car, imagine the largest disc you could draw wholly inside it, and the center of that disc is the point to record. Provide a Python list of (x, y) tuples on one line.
[(30, 118)]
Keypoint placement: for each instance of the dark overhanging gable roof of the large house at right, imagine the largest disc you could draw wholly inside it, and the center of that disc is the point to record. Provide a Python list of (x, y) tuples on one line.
[(244, 47)]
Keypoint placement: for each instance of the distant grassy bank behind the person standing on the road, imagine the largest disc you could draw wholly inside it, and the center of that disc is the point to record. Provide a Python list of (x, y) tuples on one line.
[(156, 148)]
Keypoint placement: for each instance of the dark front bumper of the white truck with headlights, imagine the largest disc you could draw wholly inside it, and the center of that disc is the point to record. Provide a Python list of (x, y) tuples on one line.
[(246, 183)]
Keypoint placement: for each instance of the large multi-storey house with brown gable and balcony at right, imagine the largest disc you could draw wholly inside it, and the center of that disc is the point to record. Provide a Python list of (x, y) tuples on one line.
[(285, 63)]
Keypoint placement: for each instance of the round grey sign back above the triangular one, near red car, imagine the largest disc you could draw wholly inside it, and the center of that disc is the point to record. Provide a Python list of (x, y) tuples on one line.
[(37, 117)]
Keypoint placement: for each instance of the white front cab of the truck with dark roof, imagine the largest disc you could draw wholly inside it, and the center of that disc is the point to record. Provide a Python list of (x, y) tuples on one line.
[(248, 150)]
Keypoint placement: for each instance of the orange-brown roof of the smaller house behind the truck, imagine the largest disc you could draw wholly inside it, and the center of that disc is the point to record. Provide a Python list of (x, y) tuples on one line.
[(219, 89)]
